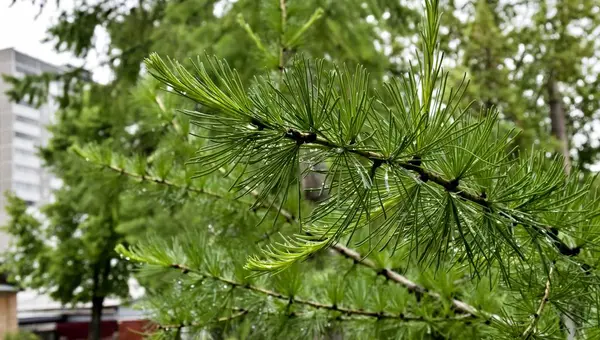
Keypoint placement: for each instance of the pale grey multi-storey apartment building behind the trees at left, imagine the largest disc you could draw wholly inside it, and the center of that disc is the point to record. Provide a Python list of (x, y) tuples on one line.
[(22, 130)]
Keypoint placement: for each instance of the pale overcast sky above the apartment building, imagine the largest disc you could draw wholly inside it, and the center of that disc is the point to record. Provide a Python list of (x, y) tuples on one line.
[(21, 30)]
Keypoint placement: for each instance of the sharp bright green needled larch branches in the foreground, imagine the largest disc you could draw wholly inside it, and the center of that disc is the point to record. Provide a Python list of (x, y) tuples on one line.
[(410, 173)]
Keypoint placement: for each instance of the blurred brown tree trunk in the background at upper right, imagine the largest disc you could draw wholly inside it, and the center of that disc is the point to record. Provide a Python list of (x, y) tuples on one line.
[(558, 120)]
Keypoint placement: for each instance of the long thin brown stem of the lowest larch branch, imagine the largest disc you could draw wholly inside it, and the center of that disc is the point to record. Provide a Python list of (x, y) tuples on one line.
[(315, 304)]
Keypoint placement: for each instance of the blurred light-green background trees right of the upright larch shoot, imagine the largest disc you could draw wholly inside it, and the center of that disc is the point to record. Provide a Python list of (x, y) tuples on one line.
[(533, 60)]
